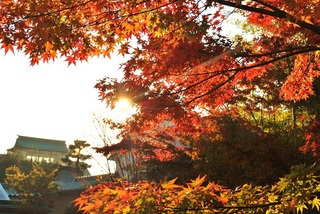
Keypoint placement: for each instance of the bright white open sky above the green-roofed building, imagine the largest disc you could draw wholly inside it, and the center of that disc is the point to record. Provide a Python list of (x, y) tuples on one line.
[(54, 100)]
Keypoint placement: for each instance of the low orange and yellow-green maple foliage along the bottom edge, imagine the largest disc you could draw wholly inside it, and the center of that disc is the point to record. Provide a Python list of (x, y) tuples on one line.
[(296, 190)]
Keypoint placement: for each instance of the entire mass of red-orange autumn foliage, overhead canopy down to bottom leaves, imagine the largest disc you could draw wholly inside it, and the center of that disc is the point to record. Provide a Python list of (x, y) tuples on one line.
[(245, 105)]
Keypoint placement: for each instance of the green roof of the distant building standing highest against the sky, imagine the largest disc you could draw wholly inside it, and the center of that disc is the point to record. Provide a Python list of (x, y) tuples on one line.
[(41, 144)]
